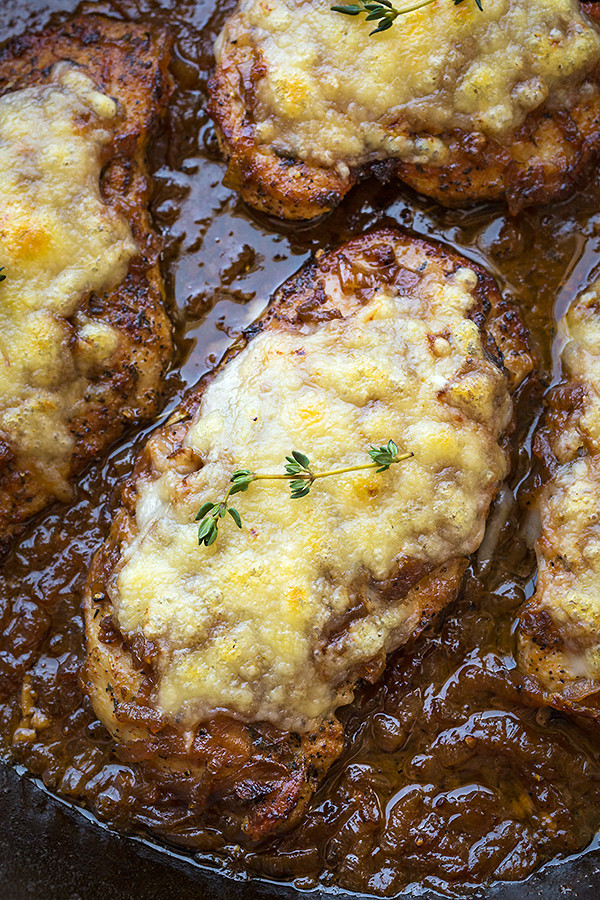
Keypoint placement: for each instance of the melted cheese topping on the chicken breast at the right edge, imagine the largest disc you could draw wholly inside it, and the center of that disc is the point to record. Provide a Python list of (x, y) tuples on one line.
[(569, 550)]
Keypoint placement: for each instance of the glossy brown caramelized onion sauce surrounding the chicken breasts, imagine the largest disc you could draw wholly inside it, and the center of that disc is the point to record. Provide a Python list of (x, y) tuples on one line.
[(449, 777)]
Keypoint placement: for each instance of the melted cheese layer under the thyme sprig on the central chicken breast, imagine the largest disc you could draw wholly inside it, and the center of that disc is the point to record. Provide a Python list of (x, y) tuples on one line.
[(242, 625)]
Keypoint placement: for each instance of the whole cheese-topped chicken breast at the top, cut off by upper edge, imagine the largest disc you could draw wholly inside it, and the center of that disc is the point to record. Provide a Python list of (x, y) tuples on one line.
[(460, 103)]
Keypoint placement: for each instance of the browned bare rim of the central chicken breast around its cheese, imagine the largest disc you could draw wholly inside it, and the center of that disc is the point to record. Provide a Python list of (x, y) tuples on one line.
[(257, 778)]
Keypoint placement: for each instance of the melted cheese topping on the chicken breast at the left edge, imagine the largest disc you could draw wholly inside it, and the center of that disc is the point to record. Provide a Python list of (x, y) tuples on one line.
[(58, 242)]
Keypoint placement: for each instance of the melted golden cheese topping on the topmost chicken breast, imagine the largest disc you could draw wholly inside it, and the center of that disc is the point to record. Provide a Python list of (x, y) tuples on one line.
[(328, 92)]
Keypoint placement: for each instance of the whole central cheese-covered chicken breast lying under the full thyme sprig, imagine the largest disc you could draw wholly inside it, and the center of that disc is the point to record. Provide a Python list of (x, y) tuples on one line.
[(221, 667)]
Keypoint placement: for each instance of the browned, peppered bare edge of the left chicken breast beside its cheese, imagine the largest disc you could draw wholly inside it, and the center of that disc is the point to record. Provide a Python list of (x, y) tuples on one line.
[(128, 63)]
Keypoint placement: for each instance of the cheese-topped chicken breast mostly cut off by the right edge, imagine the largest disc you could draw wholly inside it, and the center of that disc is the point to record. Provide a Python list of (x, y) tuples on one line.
[(559, 637)]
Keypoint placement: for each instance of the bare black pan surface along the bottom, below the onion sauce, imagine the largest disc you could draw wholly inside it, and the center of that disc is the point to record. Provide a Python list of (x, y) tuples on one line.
[(50, 851)]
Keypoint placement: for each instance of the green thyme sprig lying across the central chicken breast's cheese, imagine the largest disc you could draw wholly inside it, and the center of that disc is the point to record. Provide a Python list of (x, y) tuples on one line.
[(301, 477)]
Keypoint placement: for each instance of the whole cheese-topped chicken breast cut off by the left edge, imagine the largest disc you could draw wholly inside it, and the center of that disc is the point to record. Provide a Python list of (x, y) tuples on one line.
[(85, 338)]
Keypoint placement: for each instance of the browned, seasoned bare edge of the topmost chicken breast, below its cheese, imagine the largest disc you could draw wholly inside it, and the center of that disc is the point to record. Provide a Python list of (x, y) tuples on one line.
[(545, 159)]
